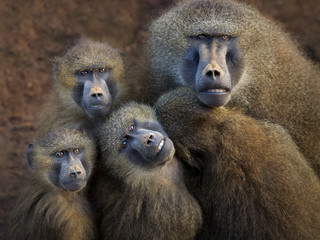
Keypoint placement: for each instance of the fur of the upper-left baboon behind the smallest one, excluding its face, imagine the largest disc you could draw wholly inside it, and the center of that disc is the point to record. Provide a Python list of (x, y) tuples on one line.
[(61, 110)]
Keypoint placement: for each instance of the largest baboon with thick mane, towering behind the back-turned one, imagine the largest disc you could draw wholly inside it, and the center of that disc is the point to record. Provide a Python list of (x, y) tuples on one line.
[(232, 55)]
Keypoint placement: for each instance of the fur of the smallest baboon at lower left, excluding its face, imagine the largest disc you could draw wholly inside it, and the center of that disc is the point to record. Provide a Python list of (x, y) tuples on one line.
[(48, 212)]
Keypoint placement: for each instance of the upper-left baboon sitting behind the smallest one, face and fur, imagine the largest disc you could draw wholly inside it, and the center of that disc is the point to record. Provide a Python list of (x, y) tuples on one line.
[(89, 81)]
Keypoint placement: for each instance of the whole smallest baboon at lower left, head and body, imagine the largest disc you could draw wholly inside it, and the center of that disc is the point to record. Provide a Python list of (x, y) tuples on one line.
[(54, 203)]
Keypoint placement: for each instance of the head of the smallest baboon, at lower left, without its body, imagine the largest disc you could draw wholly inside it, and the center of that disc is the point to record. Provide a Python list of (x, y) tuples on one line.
[(62, 156)]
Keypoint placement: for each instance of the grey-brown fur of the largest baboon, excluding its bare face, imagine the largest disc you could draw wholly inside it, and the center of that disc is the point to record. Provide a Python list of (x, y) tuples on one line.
[(278, 83)]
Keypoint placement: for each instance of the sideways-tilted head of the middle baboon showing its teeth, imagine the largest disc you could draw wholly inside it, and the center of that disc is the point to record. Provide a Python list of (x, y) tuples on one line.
[(134, 143)]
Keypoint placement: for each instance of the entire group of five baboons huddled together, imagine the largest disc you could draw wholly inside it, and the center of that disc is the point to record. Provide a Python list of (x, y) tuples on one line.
[(222, 140)]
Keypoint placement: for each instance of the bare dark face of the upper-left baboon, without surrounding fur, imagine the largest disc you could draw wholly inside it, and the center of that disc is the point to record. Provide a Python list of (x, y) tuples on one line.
[(94, 91)]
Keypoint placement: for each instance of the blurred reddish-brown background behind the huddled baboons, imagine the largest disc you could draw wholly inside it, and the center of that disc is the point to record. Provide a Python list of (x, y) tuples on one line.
[(34, 31)]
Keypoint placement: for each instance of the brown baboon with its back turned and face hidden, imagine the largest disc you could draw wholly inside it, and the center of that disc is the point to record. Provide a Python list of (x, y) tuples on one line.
[(252, 181)]
